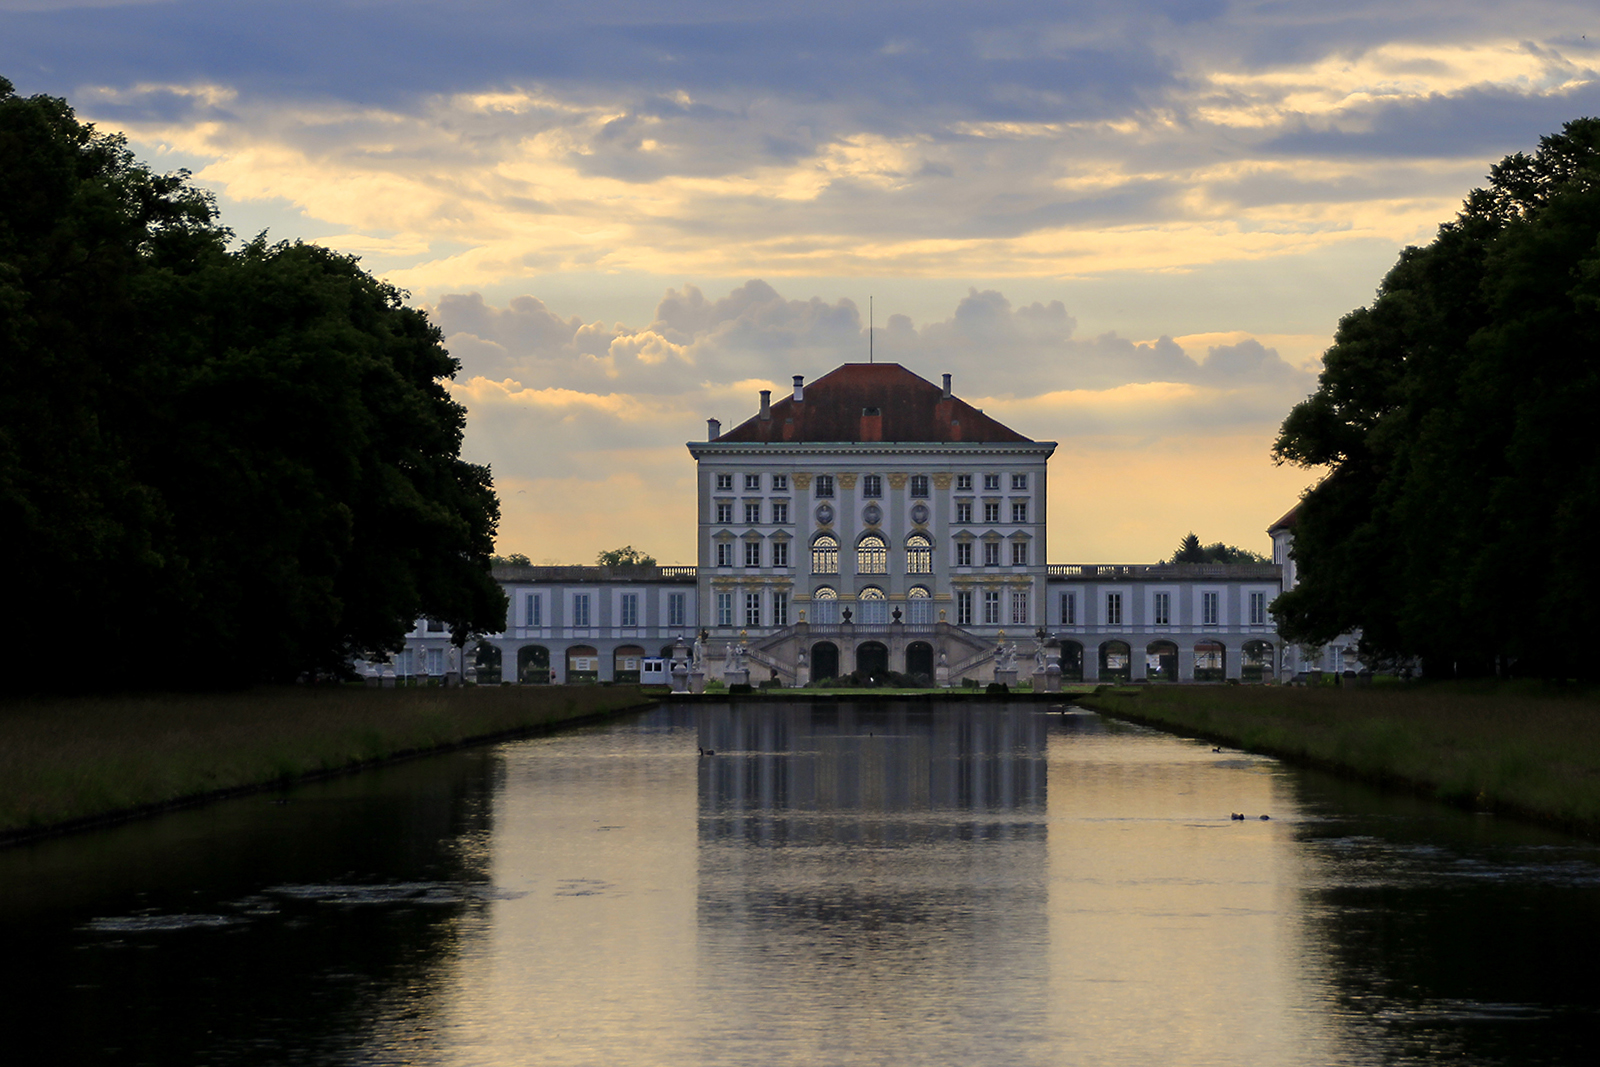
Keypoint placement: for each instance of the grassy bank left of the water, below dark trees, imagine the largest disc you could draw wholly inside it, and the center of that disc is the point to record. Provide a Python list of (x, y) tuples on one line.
[(73, 761)]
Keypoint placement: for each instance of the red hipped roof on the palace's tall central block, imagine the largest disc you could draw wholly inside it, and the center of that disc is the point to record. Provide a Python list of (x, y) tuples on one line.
[(873, 402)]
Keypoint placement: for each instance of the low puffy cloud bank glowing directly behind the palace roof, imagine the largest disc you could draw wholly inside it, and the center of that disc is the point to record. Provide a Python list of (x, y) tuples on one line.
[(594, 417)]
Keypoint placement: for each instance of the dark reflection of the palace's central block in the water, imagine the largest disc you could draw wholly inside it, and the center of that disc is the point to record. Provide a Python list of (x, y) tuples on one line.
[(886, 863)]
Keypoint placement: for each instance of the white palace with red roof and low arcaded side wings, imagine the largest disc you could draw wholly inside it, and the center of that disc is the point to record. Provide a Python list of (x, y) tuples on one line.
[(874, 522)]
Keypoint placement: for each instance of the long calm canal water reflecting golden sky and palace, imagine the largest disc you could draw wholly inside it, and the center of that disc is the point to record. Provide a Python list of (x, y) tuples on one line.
[(838, 885)]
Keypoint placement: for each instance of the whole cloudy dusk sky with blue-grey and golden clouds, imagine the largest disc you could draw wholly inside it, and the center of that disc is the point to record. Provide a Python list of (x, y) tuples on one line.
[(1129, 228)]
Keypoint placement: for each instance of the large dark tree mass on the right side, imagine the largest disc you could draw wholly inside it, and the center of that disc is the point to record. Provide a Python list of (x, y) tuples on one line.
[(1460, 511)]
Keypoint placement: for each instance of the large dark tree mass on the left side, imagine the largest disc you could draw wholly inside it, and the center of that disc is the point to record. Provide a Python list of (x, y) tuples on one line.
[(217, 466)]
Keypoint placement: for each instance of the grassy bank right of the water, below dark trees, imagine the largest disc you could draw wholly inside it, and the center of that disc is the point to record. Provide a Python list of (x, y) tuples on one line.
[(1518, 748)]
